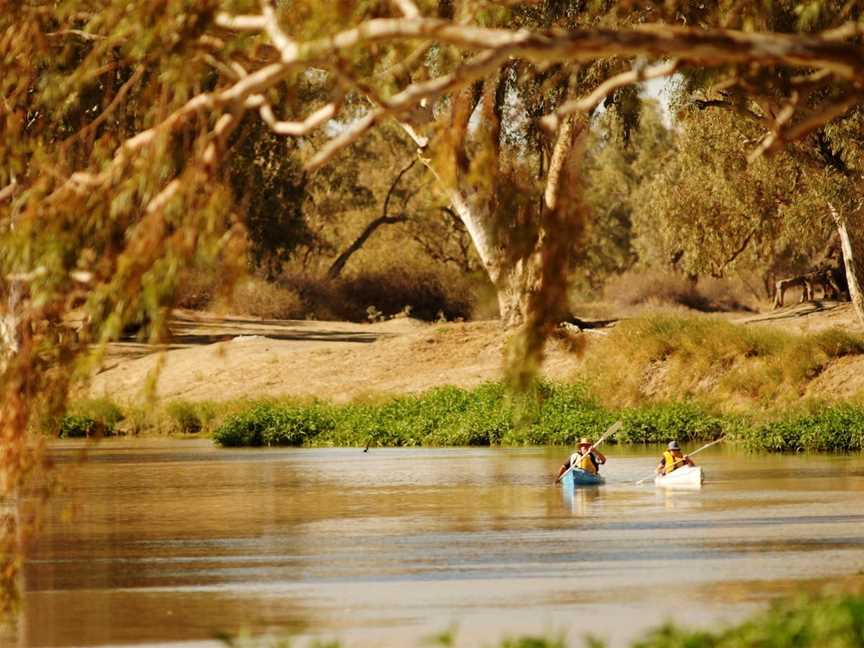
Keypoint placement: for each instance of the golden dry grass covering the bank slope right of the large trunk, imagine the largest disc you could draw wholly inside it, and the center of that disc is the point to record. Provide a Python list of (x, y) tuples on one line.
[(731, 366)]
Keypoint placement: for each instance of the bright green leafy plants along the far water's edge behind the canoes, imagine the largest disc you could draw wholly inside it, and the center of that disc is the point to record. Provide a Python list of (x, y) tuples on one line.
[(450, 416)]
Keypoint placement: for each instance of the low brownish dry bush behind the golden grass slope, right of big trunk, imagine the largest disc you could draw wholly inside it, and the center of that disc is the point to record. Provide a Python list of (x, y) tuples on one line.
[(658, 288)]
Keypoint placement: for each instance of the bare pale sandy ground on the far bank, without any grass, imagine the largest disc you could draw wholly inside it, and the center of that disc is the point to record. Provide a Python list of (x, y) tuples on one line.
[(217, 358)]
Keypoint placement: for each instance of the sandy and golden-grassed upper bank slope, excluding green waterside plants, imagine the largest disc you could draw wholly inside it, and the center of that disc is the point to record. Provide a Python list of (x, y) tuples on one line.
[(738, 361)]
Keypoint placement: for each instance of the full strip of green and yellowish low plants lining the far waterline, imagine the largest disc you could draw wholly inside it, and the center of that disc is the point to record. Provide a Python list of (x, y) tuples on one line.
[(555, 414)]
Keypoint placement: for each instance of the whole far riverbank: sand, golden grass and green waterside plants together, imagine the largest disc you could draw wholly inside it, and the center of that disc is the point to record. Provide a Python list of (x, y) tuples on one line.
[(663, 374)]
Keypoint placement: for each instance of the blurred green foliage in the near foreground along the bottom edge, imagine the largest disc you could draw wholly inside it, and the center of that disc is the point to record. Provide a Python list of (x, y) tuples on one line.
[(835, 621)]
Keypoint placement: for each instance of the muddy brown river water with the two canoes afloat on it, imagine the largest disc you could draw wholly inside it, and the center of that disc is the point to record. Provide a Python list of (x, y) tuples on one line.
[(170, 541)]
